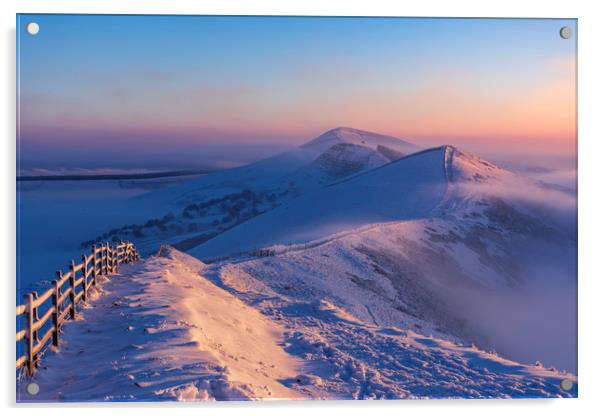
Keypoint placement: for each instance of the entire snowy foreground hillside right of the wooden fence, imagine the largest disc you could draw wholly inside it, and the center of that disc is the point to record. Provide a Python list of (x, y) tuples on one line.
[(163, 330)]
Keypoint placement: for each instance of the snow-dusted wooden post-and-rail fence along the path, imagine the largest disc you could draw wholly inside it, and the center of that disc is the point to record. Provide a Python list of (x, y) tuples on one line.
[(102, 261)]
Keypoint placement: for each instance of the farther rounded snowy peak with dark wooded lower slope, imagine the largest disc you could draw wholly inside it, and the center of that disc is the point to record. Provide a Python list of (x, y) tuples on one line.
[(188, 214)]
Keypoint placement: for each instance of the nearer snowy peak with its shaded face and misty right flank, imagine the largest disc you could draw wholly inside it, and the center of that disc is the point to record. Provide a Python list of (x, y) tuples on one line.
[(440, 235)]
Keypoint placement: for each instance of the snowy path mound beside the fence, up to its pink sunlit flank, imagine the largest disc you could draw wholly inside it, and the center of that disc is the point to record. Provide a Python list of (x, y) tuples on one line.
[(142, 339)]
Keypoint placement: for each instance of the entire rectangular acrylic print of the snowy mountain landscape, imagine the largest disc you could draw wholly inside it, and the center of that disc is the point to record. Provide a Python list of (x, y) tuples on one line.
[(295, 208)]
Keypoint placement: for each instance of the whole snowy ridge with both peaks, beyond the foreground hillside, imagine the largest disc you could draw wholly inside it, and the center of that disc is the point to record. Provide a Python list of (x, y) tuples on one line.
[(429, 240)]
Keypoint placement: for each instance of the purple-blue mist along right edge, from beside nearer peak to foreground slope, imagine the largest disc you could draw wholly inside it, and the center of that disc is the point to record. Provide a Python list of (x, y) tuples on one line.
[(537, 320)]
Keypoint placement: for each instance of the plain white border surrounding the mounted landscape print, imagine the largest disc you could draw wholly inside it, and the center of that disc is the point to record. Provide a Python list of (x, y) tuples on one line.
[(590, 154)]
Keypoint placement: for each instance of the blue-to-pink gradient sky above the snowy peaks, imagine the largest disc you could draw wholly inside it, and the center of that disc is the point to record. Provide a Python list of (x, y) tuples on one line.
[(173, 91)]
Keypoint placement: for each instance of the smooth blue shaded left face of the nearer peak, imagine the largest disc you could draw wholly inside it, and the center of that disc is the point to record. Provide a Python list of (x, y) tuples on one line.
[(408, 188)]
